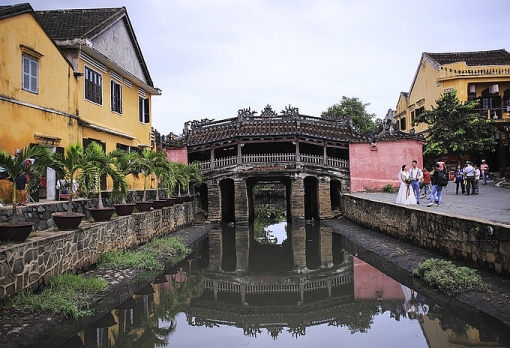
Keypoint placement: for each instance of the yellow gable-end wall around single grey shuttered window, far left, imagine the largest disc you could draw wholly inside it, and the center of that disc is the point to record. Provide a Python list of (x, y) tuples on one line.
[(50, 110)]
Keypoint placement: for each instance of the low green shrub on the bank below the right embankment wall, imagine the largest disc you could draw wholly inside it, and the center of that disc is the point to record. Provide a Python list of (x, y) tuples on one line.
[(449, 278)]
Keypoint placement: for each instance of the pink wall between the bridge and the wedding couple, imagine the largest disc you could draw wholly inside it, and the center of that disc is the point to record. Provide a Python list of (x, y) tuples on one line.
[(372, 168)]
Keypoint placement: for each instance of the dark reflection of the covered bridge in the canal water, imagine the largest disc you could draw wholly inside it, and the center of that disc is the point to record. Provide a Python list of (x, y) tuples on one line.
[(312, 285)]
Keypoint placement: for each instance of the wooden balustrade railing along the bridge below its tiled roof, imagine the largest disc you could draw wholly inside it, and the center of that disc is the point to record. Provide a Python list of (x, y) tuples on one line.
[(276, 158)]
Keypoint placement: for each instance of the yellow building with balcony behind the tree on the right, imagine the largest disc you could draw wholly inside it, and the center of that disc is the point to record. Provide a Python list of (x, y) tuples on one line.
[(481, 75)]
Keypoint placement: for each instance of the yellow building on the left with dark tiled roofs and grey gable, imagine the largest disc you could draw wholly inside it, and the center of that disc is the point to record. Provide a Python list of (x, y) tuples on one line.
[(72, 76)]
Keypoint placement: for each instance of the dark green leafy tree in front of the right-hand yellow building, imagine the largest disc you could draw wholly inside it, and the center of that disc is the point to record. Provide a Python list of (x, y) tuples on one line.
[(456, 128)]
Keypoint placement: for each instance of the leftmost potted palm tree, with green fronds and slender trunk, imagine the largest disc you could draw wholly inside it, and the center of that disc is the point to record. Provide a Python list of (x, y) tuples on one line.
[(15, 167)]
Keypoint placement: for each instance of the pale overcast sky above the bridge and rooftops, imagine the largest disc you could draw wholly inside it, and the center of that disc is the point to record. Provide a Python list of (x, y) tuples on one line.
[(212, 58)]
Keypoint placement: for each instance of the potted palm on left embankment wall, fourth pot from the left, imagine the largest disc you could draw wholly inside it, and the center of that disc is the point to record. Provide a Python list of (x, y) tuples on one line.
[(126, 164)]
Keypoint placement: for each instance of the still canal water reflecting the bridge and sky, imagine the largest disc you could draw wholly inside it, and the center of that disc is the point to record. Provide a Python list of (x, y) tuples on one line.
[(283, 286)]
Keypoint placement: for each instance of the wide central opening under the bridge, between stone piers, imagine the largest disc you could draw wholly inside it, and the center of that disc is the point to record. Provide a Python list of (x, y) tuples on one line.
[(272, 193)]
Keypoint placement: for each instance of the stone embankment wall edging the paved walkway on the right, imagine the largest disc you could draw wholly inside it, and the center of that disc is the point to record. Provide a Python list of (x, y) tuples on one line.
[(477, 242)]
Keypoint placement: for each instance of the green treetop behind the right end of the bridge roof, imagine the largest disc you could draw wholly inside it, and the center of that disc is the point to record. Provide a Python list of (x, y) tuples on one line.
[(352, 107)]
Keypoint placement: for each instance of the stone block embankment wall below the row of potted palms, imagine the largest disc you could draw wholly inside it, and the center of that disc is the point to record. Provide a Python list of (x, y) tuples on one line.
[(47, 253)]
